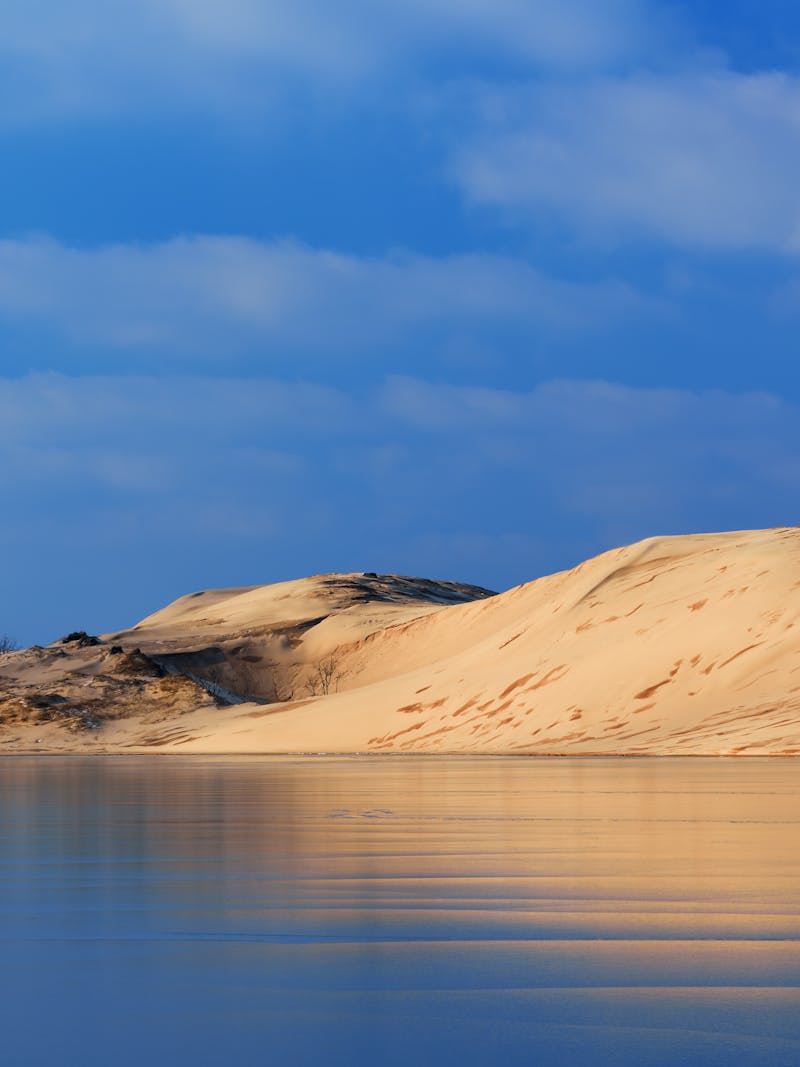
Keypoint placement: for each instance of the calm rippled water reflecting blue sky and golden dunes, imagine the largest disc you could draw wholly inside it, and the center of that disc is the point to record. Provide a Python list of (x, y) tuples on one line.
[(399, 911)]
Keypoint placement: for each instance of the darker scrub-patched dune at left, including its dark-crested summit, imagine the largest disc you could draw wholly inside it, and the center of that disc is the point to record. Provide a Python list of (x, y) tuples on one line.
[(207, 651)]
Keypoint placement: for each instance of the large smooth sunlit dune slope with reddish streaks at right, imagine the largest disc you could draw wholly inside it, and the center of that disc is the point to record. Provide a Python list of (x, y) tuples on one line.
[(673, 646)]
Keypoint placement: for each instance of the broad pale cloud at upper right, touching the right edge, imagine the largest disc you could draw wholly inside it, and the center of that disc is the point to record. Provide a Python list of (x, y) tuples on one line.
[(700, 161)]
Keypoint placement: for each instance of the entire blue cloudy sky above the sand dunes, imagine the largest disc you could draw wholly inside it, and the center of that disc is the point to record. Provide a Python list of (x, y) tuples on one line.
[(444, 289)]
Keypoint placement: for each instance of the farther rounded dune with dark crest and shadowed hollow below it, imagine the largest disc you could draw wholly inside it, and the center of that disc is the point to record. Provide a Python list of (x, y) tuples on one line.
[(268, 642)]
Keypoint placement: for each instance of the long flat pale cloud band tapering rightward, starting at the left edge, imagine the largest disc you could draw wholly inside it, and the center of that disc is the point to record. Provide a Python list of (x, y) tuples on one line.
[(228, 294)]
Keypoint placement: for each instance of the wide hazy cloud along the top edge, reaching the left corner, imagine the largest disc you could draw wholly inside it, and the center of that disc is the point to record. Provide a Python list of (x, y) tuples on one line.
[(94, 58)]
